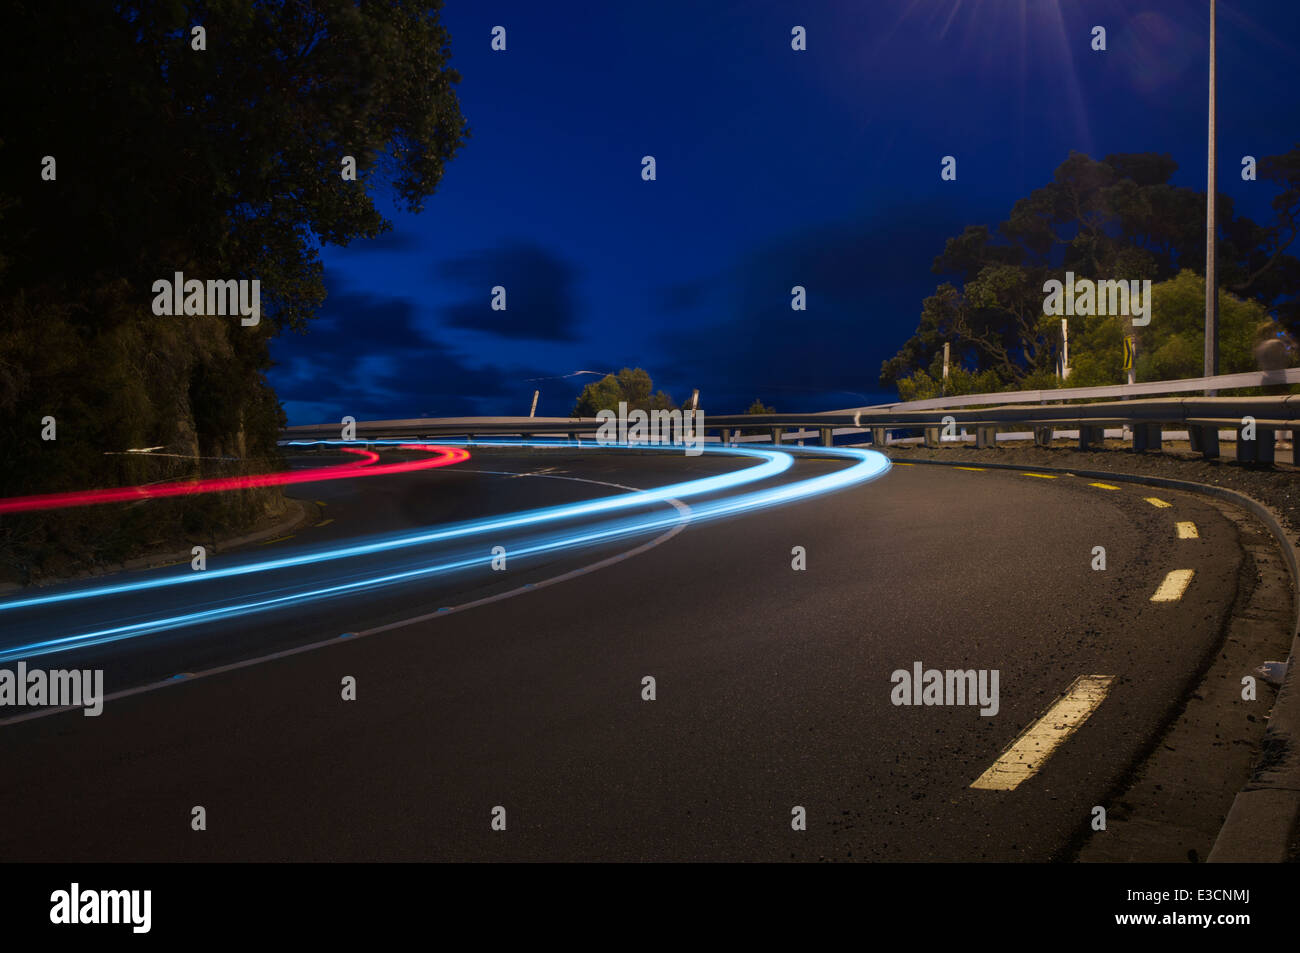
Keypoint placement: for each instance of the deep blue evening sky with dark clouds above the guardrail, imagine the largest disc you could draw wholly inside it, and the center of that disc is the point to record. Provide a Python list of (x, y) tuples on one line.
[(775, 168)]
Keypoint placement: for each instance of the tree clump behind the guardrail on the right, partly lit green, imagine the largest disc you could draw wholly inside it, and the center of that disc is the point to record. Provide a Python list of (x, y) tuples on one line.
[(1116, 219)]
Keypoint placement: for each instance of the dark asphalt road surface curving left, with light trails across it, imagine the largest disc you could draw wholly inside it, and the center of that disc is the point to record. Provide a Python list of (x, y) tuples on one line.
[(773, 686)]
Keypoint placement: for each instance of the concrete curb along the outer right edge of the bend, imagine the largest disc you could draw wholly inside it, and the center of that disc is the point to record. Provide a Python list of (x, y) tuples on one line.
[(1267, 812)]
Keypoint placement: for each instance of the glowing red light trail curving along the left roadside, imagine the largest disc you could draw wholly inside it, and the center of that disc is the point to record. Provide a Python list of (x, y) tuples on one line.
[(123, 495)]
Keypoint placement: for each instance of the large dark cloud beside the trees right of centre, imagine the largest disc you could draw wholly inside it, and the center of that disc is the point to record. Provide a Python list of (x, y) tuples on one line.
[(861, 280)]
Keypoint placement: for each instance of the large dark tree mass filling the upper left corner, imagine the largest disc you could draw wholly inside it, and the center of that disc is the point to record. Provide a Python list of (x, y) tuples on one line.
[(223, 163)]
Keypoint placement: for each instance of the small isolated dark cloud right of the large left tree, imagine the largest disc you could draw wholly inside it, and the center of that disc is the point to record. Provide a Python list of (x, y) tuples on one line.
[(539, 293)]
